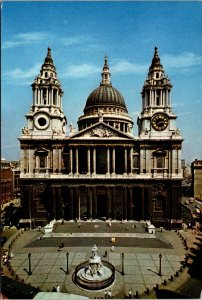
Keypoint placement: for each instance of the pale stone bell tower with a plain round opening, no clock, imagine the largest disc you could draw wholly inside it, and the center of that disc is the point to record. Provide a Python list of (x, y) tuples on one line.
[(46, 117)]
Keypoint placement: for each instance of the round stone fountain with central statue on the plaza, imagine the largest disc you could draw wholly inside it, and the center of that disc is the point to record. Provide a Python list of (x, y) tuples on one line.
[(94, 274)]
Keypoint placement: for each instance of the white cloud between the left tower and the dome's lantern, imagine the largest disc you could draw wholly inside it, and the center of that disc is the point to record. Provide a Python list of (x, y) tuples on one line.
[(80, 71)]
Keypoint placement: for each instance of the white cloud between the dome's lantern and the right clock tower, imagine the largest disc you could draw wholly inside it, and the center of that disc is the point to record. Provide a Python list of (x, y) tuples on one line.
[(129, 68)]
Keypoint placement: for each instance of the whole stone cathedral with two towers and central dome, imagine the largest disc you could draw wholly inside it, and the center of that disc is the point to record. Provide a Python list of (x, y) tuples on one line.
[(101, 171)]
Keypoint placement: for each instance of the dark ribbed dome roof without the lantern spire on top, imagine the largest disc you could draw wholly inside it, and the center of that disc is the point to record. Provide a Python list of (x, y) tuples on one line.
[(105, 95)]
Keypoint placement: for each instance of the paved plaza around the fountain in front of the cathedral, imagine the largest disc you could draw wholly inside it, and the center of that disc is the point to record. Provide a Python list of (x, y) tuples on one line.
[(141, 257)]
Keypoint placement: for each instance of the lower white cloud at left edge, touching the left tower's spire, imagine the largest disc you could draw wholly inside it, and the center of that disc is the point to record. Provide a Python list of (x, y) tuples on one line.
[(23, 74)]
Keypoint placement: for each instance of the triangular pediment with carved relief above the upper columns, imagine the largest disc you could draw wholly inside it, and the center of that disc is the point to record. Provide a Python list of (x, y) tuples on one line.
[(100, 130)]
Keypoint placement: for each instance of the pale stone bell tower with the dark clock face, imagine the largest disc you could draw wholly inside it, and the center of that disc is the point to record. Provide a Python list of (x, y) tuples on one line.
[(157, 119)]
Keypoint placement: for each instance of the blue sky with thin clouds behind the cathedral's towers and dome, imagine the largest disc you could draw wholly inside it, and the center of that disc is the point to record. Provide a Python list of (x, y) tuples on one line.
[(80, 34)]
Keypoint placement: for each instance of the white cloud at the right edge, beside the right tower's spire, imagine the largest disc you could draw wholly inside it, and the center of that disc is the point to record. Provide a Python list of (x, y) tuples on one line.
[(182, 61)]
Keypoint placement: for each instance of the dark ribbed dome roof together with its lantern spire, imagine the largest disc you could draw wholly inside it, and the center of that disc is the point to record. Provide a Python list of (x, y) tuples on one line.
[(105, 94)]
